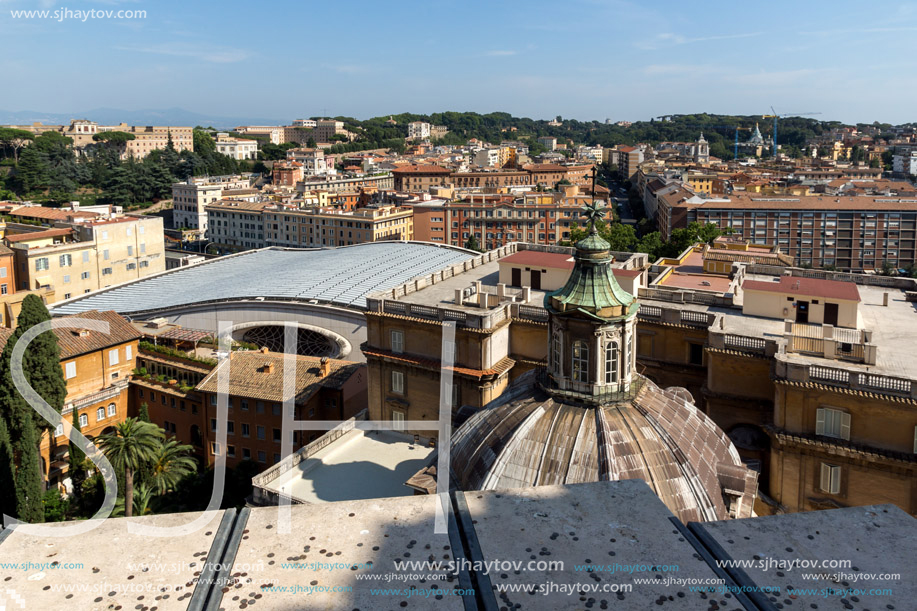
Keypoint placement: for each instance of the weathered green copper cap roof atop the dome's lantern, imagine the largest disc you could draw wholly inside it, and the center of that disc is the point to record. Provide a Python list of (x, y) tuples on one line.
[(591, 288)]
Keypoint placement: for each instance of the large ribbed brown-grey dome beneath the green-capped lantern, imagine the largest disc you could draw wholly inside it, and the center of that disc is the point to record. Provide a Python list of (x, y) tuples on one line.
[(528, 437)]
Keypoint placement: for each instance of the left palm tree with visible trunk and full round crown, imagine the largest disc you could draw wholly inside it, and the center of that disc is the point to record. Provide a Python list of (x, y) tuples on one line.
[(132, 444)]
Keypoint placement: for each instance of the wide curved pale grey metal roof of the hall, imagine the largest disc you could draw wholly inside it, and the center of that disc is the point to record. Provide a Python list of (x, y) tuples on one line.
[(343, 276)]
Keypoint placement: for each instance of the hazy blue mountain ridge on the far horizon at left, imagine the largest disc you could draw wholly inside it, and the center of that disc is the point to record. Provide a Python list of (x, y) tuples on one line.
[(113, 116)]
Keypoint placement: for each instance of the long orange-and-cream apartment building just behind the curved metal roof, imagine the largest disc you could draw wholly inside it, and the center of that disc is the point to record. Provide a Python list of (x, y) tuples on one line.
[(537, 218)]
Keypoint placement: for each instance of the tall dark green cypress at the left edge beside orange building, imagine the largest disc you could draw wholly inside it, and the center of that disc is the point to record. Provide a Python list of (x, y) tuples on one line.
[(42, 370)]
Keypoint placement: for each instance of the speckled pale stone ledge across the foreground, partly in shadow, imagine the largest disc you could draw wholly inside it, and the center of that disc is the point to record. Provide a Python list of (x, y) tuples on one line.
[(247, 559)]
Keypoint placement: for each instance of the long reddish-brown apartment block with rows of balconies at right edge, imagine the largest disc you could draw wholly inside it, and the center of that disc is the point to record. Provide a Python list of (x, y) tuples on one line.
[(850, 233)]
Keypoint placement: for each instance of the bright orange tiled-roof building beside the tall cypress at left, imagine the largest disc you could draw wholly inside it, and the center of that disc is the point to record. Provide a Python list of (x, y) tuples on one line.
[(97, 369)]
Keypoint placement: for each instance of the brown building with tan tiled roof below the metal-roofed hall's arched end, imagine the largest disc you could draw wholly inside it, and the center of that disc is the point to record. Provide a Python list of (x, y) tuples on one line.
[(325, 389)]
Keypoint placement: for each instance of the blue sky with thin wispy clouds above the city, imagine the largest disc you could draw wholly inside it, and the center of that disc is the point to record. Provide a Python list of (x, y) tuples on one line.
[(583, 59)]
